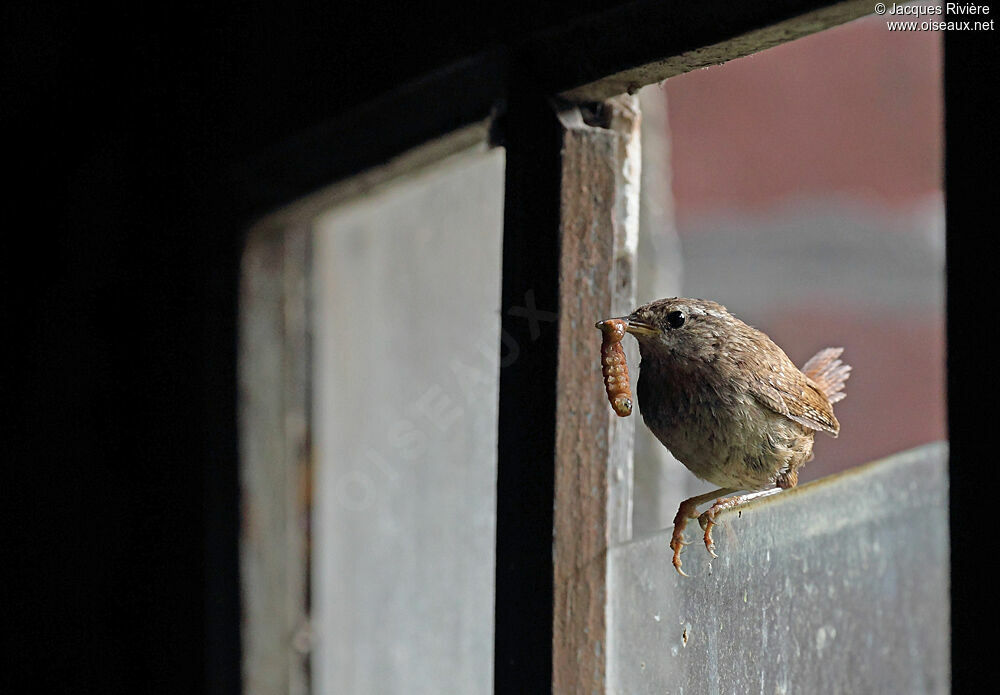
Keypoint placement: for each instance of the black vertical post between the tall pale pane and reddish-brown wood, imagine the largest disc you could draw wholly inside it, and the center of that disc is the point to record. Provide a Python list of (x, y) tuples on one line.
[(527, 407)]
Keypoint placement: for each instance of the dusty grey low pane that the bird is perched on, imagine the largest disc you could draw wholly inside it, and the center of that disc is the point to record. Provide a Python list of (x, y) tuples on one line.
[(838, 586)]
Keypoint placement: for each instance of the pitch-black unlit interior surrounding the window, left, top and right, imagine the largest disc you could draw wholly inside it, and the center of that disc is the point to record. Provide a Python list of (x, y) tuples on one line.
[(128, 137)]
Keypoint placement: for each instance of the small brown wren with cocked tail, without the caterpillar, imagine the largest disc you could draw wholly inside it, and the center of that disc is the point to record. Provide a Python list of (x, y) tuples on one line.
[(729, 404)]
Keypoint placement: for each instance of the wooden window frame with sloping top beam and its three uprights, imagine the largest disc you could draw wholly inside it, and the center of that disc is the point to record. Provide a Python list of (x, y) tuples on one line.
[(547, 101)]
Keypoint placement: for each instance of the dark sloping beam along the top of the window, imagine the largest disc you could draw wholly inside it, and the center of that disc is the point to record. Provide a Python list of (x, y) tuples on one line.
[(585, 59)]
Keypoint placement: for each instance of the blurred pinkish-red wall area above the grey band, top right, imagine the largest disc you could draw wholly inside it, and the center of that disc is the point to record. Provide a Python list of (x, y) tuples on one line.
[(856, 109)]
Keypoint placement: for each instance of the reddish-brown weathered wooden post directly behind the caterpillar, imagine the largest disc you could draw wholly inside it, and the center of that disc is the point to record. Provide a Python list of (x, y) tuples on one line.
[(599, 232)]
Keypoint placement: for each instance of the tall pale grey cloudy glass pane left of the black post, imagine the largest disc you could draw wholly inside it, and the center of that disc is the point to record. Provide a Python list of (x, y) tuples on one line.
[(405, 353)]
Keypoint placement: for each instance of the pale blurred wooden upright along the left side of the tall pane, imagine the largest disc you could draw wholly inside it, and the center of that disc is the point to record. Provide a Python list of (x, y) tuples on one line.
[(274, 446)]
